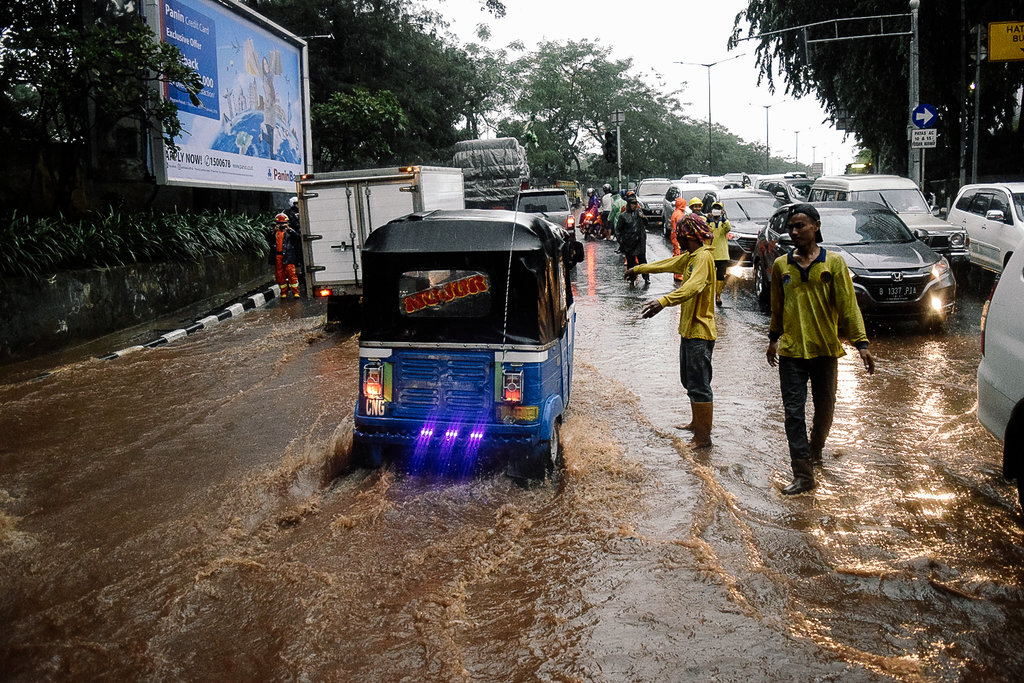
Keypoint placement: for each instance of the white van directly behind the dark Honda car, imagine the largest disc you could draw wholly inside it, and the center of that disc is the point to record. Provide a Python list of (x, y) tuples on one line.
[(903, 197)]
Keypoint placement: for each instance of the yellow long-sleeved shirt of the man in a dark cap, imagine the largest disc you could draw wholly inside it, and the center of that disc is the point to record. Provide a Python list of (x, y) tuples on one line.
[(812, 309)]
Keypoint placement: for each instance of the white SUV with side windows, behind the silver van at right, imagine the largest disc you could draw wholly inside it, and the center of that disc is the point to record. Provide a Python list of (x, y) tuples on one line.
[(993, 215)]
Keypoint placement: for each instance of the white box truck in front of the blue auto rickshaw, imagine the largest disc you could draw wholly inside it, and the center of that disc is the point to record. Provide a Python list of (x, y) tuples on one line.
[(337, 212)]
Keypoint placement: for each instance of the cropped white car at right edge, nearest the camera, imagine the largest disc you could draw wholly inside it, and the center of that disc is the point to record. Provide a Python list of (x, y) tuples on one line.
[(1001, 374)]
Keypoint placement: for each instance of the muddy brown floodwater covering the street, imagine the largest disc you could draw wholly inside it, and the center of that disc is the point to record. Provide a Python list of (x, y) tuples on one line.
[(185, 514)]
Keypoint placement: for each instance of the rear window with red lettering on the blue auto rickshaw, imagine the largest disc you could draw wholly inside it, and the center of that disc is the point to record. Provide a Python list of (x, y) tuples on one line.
[(445, 293)]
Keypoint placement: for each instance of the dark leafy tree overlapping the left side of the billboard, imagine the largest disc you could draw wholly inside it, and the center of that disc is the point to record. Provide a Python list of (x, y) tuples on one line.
[(70, 73)]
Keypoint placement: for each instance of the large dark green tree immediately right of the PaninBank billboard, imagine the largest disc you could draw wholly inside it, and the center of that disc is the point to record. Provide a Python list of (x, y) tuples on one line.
[(396, 48)]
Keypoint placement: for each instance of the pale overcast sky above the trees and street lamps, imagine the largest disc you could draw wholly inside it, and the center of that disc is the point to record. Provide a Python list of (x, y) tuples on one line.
[(656, 34)]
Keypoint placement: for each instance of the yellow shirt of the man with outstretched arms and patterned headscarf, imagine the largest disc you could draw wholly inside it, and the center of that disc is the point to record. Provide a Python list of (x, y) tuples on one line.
[(696, 297)]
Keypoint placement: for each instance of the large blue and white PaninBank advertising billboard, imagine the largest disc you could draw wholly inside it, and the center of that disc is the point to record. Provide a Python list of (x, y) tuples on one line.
[(249, 127)]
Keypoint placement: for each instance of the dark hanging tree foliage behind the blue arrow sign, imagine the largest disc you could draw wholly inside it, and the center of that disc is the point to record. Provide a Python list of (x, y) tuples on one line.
[(868, 77)]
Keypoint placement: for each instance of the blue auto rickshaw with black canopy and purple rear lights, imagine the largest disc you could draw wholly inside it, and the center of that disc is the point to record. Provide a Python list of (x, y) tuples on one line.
[(466, 349)]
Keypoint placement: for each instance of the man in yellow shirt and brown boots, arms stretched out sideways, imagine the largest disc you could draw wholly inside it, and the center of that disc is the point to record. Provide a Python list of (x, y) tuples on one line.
[(696, 298)]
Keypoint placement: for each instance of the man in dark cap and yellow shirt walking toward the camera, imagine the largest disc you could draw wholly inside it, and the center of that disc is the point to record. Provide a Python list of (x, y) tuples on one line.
[(813, 298)]
